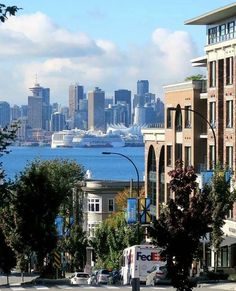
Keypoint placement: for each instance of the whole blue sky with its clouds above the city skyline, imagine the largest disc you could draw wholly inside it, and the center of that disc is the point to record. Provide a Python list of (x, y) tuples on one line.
[(109, 44)]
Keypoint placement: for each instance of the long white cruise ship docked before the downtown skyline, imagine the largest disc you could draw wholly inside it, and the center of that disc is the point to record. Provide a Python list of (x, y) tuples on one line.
[(79, 138)]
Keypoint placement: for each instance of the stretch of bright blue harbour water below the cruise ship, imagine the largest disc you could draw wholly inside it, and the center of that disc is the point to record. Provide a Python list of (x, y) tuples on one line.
[(105, 167)]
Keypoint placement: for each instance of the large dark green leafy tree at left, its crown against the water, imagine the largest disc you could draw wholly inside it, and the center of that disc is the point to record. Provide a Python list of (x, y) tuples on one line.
[(36, 198)]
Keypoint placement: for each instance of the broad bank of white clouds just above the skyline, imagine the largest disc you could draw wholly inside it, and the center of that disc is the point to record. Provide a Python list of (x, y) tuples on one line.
[(33, 44)]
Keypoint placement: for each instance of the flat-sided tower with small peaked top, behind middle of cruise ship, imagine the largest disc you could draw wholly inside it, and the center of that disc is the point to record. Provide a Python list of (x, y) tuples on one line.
[(96, 109)]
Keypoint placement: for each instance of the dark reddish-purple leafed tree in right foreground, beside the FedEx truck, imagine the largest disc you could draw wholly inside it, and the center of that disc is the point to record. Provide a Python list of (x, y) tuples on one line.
[(182, 222)]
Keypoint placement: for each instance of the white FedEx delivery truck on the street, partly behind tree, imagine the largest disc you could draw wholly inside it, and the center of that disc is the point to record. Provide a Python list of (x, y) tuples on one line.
[(137, 261)]
